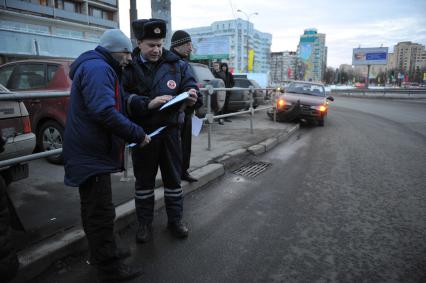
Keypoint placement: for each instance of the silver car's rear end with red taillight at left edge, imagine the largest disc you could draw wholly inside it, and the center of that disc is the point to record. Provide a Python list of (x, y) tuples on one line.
[(15, 129)]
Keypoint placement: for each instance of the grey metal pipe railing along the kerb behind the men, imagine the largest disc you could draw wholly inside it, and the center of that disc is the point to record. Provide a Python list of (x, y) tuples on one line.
[(209, 118)]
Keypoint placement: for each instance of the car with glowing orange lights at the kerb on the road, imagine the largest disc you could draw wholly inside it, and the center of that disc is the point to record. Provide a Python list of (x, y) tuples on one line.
[(302, 100)]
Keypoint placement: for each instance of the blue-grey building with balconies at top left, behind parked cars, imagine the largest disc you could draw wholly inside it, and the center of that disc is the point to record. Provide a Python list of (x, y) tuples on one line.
[(53, 28)]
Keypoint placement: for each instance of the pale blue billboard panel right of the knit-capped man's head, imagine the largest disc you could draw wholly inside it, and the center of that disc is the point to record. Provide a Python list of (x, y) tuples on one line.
[(216, 47)]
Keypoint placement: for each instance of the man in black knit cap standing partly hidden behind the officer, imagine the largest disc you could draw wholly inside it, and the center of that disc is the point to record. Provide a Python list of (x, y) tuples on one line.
[(182, 46)]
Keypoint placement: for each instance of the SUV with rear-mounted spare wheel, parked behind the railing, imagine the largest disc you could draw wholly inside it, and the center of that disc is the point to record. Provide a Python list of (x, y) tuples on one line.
[(205, 77)]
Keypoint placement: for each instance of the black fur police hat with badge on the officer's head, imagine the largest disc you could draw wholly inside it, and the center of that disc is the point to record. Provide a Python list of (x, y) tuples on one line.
[(149, 28)]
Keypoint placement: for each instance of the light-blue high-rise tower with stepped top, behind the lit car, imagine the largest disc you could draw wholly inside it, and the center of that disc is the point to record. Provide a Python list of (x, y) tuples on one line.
[(313, 53)]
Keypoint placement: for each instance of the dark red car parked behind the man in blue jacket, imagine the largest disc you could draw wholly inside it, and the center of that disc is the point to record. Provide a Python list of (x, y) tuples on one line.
[(47, 115)]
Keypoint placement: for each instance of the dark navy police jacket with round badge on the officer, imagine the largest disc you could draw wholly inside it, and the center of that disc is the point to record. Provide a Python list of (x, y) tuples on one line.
[(143, 82)]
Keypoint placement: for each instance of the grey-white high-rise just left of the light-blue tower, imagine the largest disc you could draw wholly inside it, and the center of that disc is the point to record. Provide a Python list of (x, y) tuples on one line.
[(283, 66)]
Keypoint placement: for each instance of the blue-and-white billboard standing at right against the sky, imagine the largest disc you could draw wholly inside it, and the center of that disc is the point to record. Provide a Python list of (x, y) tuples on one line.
[(370, 56)]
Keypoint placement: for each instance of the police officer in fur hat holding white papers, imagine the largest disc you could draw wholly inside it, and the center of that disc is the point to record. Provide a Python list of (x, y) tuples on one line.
[(154, 72)]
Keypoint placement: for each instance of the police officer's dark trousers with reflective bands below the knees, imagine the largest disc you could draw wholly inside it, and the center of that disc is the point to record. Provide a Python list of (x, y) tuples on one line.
[(163, 151)]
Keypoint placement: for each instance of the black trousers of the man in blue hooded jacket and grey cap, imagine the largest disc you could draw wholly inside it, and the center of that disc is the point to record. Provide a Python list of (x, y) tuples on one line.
[(98, 214)]
